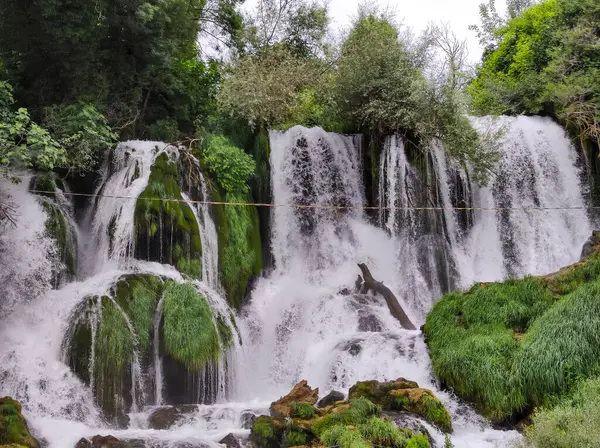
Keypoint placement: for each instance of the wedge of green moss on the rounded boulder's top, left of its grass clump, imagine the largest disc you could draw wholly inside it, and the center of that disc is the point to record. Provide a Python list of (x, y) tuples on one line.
[(138, 296)]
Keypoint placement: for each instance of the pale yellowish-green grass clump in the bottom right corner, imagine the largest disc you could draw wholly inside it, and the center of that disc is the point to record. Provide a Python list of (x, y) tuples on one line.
[(573, 422)]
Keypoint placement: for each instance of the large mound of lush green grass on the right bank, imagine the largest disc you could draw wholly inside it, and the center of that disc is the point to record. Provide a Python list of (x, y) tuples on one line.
[(510, 347)]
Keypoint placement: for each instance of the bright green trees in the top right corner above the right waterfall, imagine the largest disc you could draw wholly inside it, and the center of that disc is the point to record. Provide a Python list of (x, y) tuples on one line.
[(546, 62)]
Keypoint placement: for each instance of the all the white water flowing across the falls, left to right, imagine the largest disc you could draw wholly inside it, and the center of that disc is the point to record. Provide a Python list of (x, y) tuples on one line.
[(304, 320)]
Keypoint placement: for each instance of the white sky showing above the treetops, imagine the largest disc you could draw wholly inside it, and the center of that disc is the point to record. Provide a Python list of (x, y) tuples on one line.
[(417, 14)]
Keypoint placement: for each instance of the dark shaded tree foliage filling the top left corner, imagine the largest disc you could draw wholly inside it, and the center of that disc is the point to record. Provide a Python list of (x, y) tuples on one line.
[(136, 61)]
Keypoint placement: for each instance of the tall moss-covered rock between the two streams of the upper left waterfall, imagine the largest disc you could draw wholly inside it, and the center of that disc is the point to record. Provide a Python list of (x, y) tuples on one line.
[(166, 228)]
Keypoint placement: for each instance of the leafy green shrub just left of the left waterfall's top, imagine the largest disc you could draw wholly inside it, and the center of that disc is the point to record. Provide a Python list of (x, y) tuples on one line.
[(82, 131)]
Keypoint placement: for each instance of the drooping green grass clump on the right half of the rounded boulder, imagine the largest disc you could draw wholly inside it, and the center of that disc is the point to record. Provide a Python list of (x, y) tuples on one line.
[(190, 335)]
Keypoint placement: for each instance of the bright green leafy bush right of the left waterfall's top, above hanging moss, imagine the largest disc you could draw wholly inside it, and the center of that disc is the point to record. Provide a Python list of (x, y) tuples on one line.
[(230, 165)]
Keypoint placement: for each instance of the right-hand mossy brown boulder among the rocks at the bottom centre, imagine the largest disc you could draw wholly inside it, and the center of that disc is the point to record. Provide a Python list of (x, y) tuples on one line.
[(407, 396)]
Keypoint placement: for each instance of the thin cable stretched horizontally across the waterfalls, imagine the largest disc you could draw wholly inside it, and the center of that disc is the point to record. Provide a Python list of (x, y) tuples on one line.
[(320, 206)]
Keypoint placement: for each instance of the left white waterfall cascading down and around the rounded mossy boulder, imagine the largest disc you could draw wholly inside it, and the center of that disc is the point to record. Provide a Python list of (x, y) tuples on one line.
[(43, 326)]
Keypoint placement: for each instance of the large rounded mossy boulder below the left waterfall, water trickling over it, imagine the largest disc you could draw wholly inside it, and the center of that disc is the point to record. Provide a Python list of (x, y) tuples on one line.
[(118, 329)]
